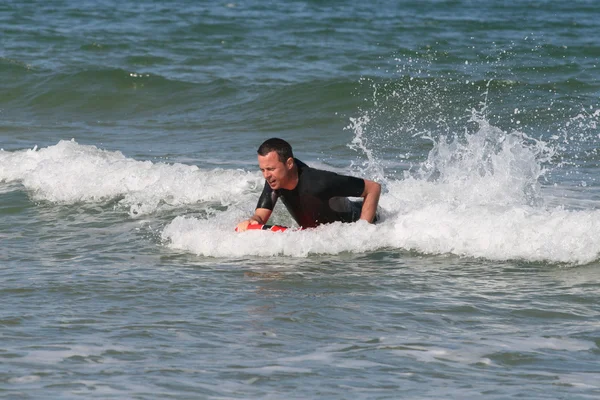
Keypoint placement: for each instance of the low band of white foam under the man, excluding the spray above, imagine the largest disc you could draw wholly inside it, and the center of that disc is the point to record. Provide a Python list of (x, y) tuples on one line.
[(488, 232)]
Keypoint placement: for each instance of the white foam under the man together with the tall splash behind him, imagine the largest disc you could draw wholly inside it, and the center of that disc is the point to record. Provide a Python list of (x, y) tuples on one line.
[(475, 196)]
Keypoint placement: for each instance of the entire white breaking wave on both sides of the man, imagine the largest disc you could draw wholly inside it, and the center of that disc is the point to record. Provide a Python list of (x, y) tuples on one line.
[(476, 195)]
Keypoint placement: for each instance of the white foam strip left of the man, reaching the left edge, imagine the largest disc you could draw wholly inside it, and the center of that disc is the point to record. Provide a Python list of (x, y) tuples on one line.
[(69, 173)]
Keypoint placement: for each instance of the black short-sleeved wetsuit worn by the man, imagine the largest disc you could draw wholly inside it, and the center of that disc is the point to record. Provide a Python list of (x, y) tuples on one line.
[(319, 198)]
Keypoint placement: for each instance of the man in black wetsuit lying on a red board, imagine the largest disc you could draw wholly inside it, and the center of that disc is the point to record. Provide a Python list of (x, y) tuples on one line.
[(312, 196)]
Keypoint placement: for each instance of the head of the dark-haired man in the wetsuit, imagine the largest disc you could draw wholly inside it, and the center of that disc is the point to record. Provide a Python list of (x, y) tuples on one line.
[(276, 162)]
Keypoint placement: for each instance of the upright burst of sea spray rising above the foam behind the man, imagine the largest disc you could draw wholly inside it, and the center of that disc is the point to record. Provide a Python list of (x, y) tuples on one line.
[(488, 166)]
